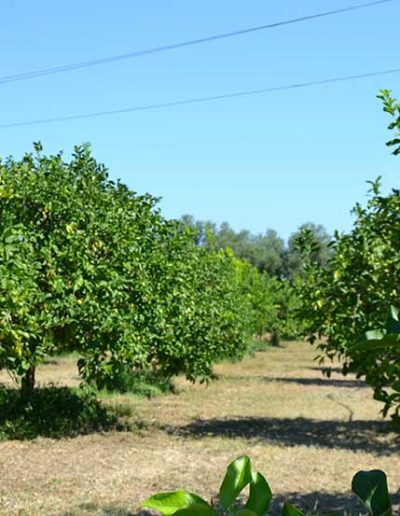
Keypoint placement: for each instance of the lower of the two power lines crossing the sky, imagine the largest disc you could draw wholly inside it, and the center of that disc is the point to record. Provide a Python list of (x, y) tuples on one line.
[(198, 100)]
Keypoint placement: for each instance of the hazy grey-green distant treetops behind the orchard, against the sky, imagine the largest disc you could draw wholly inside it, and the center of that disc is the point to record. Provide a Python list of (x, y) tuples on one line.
[(268, 252)]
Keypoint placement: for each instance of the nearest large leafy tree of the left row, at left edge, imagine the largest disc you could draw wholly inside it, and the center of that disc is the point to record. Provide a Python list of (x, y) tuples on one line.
[(71, 262)]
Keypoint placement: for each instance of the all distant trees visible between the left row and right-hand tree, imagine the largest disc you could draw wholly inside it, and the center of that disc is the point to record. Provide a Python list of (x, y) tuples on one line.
[(274, 292)]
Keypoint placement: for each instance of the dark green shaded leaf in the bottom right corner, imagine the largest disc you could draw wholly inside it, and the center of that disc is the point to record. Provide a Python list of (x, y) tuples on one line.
[(371, 488)]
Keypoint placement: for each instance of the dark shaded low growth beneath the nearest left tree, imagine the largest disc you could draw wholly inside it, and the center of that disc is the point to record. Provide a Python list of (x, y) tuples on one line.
[(52, 412)]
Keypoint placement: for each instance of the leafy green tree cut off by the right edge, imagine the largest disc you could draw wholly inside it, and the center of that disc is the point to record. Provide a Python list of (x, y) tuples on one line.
[(352, 296)]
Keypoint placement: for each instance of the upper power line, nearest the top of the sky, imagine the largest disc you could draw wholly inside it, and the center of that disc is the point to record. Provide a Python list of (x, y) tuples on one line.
[(164, 48)]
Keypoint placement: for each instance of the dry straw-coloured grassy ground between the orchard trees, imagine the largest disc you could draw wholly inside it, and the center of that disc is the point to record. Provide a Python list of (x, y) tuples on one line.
[(306, 433)]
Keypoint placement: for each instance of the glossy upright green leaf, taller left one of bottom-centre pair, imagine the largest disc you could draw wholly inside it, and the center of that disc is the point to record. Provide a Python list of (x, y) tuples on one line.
[(237, 476)]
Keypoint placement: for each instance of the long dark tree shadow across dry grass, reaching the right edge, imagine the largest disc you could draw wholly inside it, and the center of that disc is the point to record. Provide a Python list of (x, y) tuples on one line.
[(369, 436)]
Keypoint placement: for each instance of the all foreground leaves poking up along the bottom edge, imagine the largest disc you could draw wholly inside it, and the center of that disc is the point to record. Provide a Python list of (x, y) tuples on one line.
[(370, 487)]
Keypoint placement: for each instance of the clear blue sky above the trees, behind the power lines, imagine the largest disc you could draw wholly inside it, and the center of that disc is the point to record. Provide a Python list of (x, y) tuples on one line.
[(272, 160)]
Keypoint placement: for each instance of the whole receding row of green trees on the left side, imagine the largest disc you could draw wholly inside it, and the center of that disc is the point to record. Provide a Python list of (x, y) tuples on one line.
[(87, 265)]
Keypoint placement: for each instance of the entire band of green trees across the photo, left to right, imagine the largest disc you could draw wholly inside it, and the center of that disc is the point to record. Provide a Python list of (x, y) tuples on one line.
[(87, 265)]
